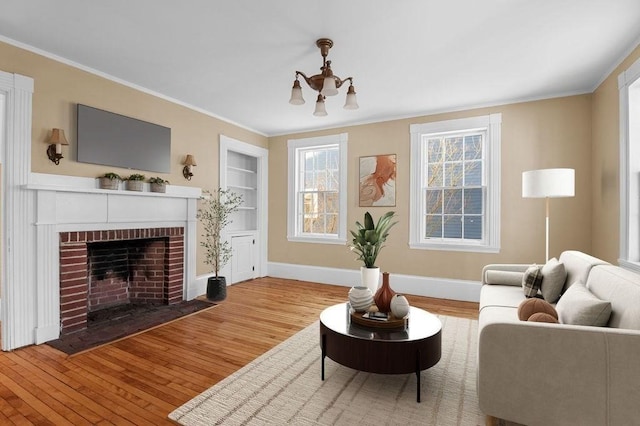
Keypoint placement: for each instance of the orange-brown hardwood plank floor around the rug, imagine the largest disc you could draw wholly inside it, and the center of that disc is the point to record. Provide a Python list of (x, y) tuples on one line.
[(139, 380)]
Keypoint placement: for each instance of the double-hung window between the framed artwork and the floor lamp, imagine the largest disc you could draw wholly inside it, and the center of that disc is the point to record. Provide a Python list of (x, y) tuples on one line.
[(455, 184)]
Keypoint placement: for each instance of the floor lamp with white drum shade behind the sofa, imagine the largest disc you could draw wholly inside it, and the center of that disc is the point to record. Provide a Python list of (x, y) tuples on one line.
[(548, 183)]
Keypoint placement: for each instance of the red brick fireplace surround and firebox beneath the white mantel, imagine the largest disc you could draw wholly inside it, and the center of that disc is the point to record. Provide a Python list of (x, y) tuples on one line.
[(101, 269)]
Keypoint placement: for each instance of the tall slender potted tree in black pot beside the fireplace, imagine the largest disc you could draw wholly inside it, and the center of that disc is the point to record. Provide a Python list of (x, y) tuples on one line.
[(215, 214)]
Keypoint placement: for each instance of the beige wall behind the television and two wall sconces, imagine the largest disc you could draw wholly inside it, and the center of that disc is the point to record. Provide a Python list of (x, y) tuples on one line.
[(59, 87)]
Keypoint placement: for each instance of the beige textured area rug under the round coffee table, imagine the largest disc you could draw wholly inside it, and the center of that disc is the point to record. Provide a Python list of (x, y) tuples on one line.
[(283, 386)]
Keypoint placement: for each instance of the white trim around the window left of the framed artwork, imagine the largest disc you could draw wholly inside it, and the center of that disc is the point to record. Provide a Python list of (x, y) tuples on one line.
[(292, 146)]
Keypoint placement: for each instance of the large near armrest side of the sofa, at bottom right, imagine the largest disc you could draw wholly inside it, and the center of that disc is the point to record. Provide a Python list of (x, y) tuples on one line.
[(555, 374)]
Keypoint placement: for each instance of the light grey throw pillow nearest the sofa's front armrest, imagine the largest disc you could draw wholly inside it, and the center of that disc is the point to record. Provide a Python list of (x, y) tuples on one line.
[(578, 306)]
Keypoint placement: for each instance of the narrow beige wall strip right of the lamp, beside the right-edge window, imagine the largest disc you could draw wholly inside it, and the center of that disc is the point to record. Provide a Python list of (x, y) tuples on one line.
[(606, 164)]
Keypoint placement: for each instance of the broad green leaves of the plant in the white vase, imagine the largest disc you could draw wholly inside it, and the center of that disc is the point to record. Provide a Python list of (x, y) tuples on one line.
[(369, 239)]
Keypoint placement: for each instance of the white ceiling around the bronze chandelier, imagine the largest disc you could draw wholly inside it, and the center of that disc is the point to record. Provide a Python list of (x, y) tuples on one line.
[(236, 59)]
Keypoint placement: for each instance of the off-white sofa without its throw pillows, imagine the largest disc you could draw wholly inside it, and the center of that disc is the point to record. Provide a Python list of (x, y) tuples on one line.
[(537, 373)]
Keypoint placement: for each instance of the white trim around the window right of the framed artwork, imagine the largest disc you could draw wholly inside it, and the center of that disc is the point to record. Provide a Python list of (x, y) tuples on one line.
[(491, 124)]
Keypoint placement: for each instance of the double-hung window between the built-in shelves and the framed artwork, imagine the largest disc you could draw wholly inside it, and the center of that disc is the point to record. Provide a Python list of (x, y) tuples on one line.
[(317, 203)]
